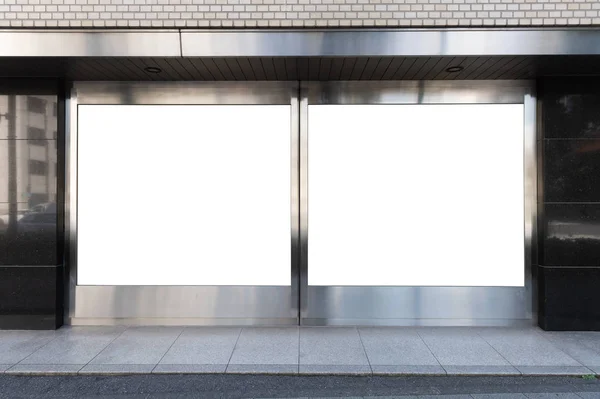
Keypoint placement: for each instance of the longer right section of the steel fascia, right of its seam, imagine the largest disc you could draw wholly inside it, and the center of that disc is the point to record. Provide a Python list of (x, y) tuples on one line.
[(385, 42)]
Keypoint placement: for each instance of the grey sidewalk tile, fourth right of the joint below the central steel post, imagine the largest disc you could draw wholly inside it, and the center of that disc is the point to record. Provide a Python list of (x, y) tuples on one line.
[(526, 348)]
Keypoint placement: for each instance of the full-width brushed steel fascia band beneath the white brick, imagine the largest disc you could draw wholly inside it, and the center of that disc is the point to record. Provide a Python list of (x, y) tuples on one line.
[(299, 43)]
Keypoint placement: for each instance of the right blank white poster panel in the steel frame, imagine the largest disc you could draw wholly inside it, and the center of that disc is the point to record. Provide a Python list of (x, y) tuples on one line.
[(415, 195)]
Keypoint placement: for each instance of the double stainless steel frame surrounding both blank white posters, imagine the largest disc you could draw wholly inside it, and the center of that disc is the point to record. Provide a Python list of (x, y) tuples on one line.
[(301, 303)]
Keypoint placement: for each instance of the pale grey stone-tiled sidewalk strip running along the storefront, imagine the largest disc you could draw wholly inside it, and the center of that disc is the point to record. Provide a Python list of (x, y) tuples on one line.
[(300, 350)]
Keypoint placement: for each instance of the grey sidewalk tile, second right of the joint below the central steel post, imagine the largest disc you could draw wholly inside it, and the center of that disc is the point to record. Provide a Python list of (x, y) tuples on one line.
[(396, 346)]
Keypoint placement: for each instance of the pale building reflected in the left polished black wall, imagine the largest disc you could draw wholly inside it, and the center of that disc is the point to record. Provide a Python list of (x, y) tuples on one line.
[(35, 153)]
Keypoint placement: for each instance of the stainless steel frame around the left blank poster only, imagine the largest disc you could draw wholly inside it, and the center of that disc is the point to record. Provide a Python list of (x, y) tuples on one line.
[(200, 305)]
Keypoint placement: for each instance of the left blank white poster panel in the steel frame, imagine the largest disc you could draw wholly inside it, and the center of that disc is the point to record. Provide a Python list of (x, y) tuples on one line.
[(183, 195)]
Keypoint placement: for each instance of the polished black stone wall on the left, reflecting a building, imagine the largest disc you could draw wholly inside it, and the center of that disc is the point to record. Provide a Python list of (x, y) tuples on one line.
[(31, 203)]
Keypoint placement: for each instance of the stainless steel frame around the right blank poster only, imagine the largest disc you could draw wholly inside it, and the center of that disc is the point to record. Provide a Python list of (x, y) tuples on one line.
[(330, 305)]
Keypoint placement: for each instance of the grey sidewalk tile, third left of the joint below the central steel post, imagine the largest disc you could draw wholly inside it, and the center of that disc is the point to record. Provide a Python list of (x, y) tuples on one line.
[(143, 345)]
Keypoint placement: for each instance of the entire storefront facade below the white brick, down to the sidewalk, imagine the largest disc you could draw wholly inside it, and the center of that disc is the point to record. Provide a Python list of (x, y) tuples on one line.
[(317, 177)]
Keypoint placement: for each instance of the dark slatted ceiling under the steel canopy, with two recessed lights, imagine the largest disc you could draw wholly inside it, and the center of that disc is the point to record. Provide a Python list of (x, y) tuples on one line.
[(305, 69)]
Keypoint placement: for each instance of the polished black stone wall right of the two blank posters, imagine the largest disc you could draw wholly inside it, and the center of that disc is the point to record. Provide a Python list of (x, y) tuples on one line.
[(569, 204)]
